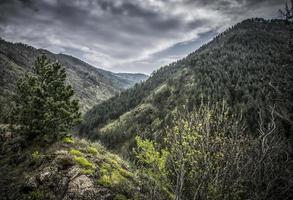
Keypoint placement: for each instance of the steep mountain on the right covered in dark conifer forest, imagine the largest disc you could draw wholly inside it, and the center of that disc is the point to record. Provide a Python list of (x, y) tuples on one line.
[(246, 66)]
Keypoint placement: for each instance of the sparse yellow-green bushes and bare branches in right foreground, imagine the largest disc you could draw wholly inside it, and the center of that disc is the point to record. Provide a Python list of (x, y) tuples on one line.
[(210, 156)]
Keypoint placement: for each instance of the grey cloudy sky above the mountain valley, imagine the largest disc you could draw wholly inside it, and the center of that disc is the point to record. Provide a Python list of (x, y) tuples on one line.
[(125, 35)]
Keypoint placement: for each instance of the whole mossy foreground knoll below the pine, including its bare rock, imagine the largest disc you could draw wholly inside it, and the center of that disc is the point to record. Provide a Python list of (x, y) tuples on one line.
[(69, 169)]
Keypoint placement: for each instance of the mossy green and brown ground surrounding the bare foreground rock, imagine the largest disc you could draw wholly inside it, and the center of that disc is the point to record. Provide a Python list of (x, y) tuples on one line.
[(105, 170)]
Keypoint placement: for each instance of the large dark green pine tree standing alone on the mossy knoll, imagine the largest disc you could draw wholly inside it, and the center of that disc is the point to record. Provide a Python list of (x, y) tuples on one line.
[(44, 105)]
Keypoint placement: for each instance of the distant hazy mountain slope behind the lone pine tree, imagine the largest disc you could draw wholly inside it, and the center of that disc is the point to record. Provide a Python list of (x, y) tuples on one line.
[(91, 85)]
